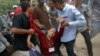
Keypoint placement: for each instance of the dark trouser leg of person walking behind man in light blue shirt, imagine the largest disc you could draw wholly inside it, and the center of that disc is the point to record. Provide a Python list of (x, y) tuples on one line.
[(87, 38)]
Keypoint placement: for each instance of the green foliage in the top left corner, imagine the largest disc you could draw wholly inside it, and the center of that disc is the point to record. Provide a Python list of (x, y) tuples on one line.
[(6, 5)]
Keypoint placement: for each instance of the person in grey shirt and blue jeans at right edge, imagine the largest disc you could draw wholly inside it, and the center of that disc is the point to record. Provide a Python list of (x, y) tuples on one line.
[(94, 7)]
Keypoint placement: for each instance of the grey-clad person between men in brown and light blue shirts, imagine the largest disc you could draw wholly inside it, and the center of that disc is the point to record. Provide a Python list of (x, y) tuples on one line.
[(53, 14)]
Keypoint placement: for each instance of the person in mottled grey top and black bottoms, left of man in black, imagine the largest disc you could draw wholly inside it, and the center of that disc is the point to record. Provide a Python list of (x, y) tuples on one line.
[(5, 21)]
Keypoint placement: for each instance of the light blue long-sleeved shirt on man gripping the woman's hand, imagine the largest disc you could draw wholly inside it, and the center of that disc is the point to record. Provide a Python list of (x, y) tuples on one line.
[(74, 18)]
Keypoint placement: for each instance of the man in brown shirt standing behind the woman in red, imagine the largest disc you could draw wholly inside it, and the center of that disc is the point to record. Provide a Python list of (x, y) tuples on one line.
[(41, 14)]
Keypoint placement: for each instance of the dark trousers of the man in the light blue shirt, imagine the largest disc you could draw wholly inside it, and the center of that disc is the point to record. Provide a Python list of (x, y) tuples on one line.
[(69, 47)]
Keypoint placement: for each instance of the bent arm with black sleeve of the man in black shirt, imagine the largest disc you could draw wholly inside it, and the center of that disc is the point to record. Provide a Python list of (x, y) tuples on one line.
[(17, 26)]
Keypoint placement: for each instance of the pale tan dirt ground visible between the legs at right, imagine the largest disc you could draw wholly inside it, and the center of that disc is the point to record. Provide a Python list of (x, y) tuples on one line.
[(80, 46)]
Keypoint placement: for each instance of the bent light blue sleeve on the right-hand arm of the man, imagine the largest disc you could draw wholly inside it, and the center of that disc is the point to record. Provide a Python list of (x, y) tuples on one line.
[(79, 19)]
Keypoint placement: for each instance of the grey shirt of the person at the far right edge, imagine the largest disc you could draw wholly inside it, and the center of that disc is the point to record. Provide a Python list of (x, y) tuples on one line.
[(95, 6)]
